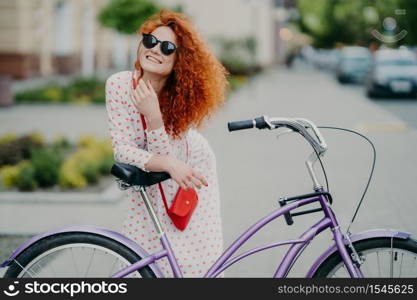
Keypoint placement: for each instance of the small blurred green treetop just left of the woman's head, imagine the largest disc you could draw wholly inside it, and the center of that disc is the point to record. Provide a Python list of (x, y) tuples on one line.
[(126, 16)]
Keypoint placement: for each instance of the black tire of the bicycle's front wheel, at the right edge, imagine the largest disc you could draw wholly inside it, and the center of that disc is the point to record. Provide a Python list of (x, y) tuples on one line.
[(409, 246)]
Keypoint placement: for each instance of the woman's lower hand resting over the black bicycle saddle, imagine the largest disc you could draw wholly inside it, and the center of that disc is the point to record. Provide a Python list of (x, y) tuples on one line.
[(184, 175)]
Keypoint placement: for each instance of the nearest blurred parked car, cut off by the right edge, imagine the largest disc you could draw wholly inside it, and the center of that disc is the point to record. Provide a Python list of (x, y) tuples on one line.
[(394, 73)]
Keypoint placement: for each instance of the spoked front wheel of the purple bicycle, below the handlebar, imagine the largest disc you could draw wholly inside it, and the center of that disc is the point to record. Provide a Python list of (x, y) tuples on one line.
[(383, 257)]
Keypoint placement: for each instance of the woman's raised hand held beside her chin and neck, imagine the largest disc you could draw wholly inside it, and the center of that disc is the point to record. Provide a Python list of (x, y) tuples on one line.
[(145, 100)]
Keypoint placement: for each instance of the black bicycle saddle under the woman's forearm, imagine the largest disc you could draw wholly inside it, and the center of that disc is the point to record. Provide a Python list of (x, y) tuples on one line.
[(135, 176)]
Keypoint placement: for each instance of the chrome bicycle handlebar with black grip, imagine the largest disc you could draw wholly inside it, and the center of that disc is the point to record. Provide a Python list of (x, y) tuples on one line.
[(299, 125)]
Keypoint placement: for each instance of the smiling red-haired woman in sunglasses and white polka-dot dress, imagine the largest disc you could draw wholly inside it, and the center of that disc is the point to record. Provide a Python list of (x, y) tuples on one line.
[(179, 84)]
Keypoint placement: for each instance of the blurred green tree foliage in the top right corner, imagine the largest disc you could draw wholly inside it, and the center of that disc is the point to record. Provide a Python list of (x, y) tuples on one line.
[(352, 21)]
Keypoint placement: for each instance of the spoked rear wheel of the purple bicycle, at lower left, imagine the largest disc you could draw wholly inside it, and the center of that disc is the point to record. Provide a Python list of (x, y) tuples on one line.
[(75, 254)]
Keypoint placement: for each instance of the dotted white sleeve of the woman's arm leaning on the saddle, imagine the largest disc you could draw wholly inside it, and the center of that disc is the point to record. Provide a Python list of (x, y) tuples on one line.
[(121, 127)]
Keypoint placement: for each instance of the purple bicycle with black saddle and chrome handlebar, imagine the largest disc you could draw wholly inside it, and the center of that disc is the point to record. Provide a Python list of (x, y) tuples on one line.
[(87, 251)]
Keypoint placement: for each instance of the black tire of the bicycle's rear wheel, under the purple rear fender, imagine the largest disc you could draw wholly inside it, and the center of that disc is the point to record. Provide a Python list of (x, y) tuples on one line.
[(40, 250)]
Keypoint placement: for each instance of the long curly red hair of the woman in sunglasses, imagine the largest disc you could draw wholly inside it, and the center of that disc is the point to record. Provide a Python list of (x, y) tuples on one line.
[(196, 87)]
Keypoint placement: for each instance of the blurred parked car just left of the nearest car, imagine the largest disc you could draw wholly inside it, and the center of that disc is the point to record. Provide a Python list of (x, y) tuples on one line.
[(354, 64)]
